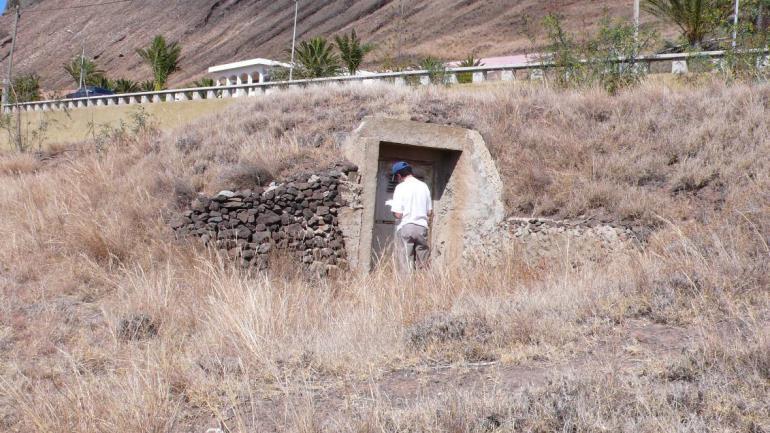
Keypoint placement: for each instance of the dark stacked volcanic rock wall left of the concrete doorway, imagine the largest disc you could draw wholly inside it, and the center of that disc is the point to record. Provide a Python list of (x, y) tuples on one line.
[(298, 216)]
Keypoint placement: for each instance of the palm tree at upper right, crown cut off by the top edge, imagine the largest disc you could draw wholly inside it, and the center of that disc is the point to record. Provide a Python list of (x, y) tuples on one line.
[(696, 18)]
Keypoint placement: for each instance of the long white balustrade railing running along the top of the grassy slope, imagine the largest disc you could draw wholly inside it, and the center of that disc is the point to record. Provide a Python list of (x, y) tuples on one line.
[(661, 63)]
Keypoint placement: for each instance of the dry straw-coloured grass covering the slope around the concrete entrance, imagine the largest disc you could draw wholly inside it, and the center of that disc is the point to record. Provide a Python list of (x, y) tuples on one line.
[(672, 337)]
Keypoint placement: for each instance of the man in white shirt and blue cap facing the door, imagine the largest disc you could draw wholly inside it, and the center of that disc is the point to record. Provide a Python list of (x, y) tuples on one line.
[(412, 205)]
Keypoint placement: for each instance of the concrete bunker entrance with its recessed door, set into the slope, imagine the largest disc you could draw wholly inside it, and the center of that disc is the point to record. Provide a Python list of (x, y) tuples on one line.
[(455, 162)]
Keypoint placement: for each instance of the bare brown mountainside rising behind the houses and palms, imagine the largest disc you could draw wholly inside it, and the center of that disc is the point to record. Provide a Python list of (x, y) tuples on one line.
[(220, 31)]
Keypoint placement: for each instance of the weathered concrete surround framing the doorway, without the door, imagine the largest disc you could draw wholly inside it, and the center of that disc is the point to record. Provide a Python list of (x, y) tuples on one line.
[(469, 209)]
